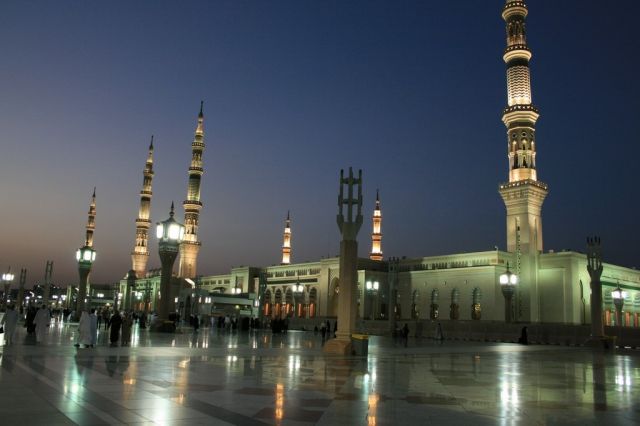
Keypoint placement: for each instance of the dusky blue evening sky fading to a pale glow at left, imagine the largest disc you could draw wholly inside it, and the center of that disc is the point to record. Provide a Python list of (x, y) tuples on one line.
[(411, 92)]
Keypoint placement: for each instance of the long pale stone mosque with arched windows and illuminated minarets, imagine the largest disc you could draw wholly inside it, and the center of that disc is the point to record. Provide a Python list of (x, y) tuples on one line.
[(553, 286)]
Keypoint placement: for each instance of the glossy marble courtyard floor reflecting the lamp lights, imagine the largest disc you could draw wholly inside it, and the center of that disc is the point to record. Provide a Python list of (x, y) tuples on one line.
[(259, 379)]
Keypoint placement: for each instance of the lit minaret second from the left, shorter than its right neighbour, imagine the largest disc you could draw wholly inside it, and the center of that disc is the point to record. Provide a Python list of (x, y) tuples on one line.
[(140, 253)]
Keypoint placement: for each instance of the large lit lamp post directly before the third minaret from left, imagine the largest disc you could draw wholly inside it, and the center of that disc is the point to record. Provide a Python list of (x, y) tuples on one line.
[(170, 234)]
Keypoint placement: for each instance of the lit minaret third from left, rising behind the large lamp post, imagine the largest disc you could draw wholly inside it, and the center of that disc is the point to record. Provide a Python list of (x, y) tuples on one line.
[(192, 205)]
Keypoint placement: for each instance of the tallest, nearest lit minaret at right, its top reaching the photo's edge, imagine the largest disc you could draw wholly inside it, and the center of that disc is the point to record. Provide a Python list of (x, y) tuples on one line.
[(523, 195)]
